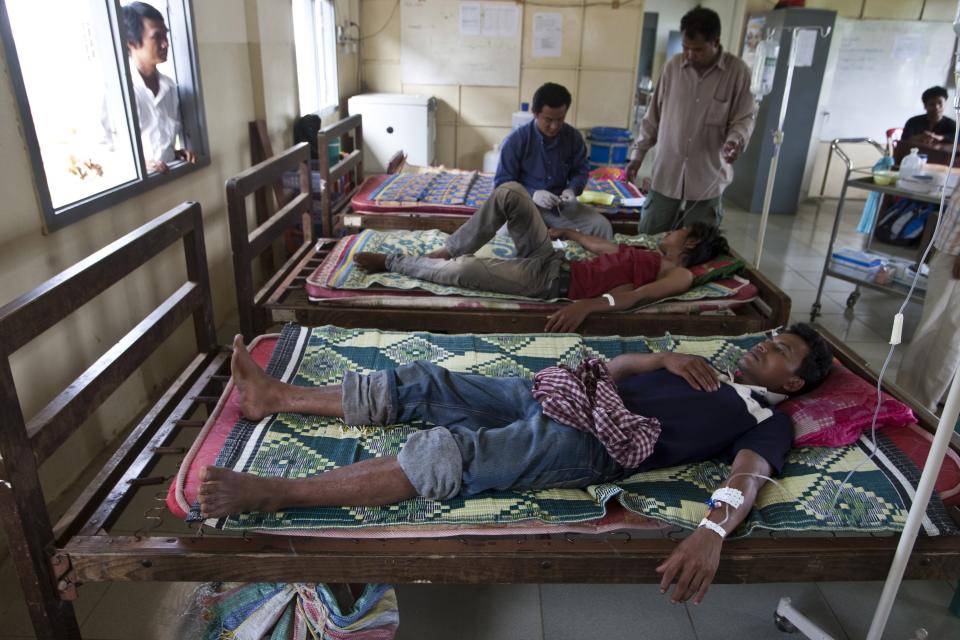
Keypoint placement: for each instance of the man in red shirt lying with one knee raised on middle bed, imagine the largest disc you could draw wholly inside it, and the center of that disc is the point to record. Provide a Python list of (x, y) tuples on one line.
[(619, 278)]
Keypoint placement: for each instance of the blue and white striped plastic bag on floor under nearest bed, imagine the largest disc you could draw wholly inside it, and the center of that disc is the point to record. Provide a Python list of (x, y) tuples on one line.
[(280, 611)]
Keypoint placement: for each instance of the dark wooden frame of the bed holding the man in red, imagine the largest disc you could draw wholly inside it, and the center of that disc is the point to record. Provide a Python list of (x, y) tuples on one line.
[(283, 298)]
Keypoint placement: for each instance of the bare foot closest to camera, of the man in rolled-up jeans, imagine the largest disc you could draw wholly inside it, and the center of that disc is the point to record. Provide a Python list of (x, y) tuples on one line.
[(224, 492)]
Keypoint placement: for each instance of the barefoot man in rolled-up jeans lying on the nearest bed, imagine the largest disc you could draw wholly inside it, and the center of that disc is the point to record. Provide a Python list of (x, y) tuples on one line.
[(664, 409)]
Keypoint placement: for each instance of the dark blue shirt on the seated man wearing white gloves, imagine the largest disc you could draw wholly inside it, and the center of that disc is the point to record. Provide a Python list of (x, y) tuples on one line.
[(528, 158)]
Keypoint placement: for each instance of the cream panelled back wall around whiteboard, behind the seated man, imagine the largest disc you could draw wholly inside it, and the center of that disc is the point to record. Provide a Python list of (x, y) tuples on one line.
[(598, 65)]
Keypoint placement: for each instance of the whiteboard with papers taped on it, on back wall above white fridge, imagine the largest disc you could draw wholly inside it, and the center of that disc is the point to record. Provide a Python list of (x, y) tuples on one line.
[(460, 42)]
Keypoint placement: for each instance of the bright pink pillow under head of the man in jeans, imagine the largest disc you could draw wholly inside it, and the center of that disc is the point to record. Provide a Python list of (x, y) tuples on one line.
[(840, 409)]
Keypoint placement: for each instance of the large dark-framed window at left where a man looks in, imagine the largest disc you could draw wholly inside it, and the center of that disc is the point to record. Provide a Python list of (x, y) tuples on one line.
[(71, 74)]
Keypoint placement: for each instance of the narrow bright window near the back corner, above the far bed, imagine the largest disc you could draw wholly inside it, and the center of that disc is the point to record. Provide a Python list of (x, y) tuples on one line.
[(314, 34)]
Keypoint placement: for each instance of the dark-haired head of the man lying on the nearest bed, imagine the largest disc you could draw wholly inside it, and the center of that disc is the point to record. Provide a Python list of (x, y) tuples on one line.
[(794, 362)]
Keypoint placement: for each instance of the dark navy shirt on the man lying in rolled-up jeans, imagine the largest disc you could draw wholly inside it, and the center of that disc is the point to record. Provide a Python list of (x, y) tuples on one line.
[(703, 425)]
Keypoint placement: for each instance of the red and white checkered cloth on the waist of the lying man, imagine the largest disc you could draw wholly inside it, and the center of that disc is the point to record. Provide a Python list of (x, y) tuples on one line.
[(586, 399)]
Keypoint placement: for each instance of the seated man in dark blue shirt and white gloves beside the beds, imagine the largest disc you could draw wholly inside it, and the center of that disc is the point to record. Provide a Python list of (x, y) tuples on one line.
[(549, 158)]
